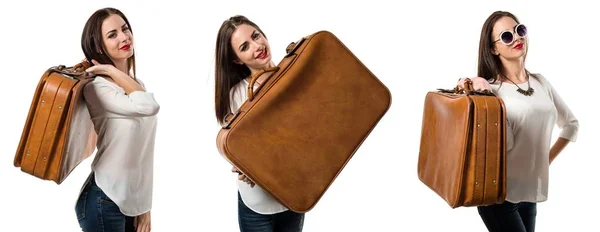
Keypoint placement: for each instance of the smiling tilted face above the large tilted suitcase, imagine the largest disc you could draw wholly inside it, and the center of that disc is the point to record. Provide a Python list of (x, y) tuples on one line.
[(251, 48)]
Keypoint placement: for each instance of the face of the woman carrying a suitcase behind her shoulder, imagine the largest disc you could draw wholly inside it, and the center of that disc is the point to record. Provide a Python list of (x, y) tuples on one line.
[(117, 38)]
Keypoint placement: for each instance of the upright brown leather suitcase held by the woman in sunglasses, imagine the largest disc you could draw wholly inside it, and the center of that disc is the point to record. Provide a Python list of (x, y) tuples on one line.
[(462, 155)]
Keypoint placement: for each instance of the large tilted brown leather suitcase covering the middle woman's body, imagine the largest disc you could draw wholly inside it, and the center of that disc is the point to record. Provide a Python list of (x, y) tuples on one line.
[(297, 131)]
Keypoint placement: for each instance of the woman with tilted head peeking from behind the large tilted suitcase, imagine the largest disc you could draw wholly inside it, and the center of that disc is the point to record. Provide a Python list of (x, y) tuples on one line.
[(242, 50)]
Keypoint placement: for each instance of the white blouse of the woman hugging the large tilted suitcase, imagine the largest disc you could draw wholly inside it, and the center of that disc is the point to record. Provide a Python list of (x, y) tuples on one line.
[(254, 197)]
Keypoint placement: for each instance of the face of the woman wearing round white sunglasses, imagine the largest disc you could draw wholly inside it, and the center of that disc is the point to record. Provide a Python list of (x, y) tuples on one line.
[(513, 49)]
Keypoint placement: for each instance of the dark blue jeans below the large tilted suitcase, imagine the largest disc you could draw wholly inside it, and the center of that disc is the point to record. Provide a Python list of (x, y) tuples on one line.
[(250, 221)]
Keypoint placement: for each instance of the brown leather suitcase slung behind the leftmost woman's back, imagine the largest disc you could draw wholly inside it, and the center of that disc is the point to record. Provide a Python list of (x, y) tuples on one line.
[(58, 132)]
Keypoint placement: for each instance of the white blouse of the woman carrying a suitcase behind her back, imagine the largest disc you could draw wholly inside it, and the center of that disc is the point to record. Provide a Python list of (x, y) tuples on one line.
[(126, 128)]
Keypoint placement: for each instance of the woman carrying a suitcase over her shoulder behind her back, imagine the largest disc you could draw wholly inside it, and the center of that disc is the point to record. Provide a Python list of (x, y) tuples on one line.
[(118, 193)]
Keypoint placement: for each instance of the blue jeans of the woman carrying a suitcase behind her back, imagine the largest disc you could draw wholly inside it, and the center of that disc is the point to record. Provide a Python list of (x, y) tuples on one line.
[(98, 213)]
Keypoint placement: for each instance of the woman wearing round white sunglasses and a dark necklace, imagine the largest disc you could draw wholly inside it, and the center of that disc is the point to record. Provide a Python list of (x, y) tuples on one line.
[(533, 108)]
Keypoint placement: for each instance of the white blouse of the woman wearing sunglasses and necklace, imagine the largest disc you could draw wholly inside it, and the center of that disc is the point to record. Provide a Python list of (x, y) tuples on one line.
[(531, 120)]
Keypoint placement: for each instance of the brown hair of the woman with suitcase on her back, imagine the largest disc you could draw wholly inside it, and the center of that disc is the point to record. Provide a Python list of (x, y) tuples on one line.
[(92, 42)]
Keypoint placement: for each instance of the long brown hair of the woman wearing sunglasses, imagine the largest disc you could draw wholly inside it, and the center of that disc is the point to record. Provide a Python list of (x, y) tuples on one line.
[(489, 65)]
